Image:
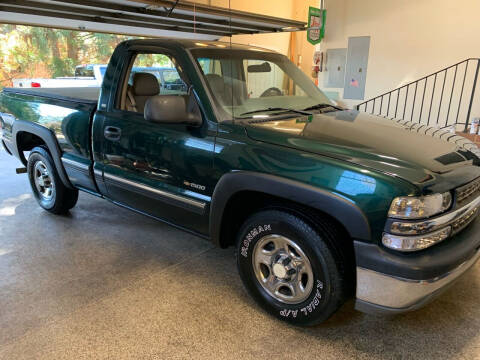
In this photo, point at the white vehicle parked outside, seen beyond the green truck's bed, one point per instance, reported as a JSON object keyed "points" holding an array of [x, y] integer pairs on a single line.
{"points": [[89, 75]]}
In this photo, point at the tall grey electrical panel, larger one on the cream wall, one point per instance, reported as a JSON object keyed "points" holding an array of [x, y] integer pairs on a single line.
{"points": [[356, 70]]}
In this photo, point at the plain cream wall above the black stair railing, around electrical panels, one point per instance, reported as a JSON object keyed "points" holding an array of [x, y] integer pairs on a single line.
{"points": [[409, 38]]}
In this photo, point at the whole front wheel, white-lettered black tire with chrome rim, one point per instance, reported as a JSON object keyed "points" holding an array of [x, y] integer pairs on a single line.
{"points": [[289, 268]]}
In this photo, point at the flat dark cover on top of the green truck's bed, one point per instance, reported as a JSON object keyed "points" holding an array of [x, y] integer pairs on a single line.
{"points": [[77, 94]]}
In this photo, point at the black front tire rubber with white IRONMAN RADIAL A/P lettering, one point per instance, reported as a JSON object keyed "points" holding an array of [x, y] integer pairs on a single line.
{"points": [[329, 286]]}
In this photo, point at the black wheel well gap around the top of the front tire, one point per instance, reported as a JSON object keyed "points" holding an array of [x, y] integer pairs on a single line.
{"points": [[245, 203]]}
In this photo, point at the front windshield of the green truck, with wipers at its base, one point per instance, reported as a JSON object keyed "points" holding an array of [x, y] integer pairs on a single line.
{"points": [[246, 84]]}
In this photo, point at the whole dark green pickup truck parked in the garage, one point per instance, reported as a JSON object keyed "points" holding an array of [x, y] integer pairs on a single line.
{"points": [[322, 204]]}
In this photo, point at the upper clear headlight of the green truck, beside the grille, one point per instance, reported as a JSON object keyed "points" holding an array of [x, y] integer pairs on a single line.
{"points": [[409, 207]]}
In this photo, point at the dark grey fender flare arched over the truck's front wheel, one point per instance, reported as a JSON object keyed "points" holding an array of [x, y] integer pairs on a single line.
{"points": [[347, 213]]}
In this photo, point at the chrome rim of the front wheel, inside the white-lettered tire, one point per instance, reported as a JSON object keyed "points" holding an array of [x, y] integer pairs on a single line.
{"points": [[282, 269]]}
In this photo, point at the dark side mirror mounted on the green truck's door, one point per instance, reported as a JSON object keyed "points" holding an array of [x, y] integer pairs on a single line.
{"points": [[173, 109]]}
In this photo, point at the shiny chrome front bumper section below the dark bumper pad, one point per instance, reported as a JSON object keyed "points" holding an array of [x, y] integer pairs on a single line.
{"points": [[381, 293]]}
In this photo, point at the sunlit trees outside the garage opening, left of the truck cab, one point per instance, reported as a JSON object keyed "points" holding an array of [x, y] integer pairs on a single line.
{"points": [[35, 52]]}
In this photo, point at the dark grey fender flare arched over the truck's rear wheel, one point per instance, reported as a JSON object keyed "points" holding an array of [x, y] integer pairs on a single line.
{"points": [[50, 140]]}
